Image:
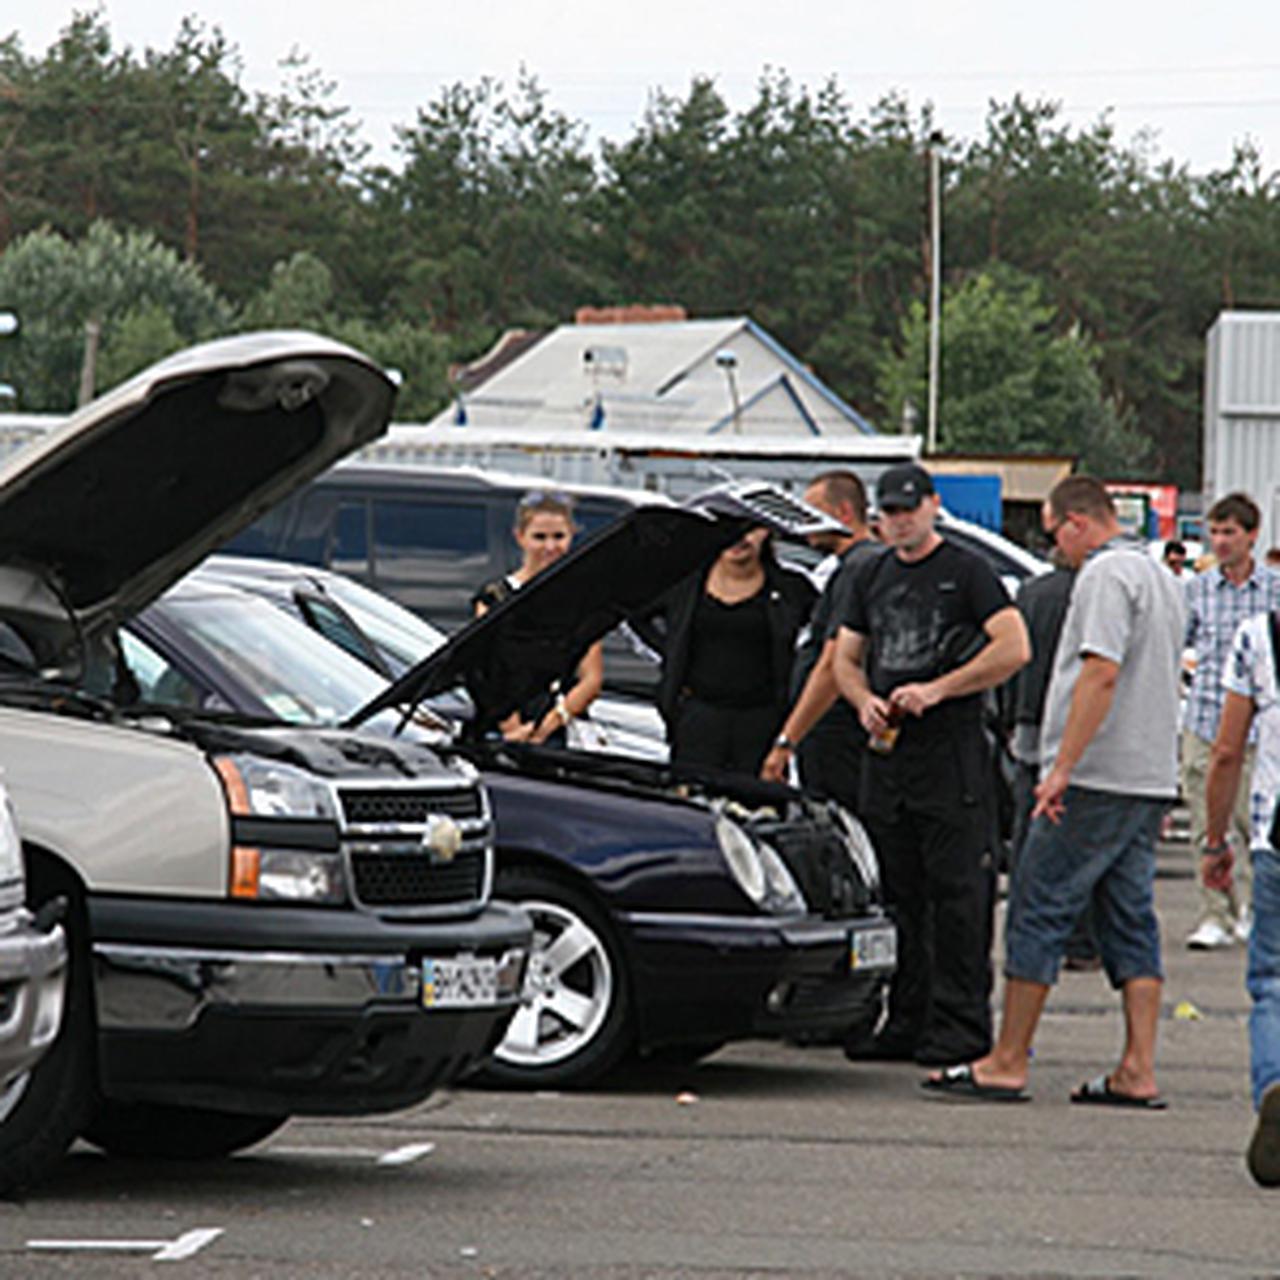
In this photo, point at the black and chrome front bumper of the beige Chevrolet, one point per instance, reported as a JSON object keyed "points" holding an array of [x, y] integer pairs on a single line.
{"points": [[290, 1012]]}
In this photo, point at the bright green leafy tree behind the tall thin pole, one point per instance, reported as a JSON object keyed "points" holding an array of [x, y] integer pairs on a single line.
{"points": [[1009, 383]]}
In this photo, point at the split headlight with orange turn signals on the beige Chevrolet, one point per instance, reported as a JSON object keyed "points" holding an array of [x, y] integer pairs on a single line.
{"points": [[285, 838]]}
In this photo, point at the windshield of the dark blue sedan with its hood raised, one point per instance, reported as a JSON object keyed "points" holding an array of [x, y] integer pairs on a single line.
{"points": [[286, 666]]}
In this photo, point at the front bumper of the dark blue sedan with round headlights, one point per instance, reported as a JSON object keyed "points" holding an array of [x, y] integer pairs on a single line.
{"points": [[721, 977]]}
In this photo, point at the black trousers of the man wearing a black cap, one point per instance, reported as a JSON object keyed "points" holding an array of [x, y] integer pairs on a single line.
{"points": [[930, 810]]}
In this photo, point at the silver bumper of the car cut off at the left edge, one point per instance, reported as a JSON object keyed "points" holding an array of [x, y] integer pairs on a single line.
{"points": [[33, 988]]}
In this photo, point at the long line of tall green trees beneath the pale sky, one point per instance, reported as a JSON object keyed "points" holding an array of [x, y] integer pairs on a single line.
{"points": [[153, 196]]}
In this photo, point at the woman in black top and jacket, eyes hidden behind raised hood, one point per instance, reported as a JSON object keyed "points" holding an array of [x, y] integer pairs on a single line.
{"points": [[728, 641]]}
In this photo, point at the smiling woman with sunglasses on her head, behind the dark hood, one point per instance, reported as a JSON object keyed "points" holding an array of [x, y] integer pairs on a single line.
{"points": [[545, 532]]}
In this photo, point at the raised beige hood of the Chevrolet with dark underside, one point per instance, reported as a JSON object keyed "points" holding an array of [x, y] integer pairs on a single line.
{"points": [[140, 486]]}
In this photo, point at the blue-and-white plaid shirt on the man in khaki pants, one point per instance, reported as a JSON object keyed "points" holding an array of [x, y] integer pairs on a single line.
{"points": [[1215, 609]]}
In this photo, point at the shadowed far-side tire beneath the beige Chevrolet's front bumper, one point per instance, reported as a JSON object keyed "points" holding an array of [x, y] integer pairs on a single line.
{"points": [[159, 1132]]}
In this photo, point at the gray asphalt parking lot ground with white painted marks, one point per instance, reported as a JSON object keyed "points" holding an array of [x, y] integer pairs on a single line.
{"points": [[762, 1160]]}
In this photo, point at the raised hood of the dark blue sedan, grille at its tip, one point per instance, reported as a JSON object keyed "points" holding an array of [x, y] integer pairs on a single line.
{"points": [[618, 573]]}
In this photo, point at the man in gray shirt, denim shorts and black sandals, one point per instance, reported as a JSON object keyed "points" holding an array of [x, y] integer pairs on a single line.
{"points": [[1108, 774]]}
